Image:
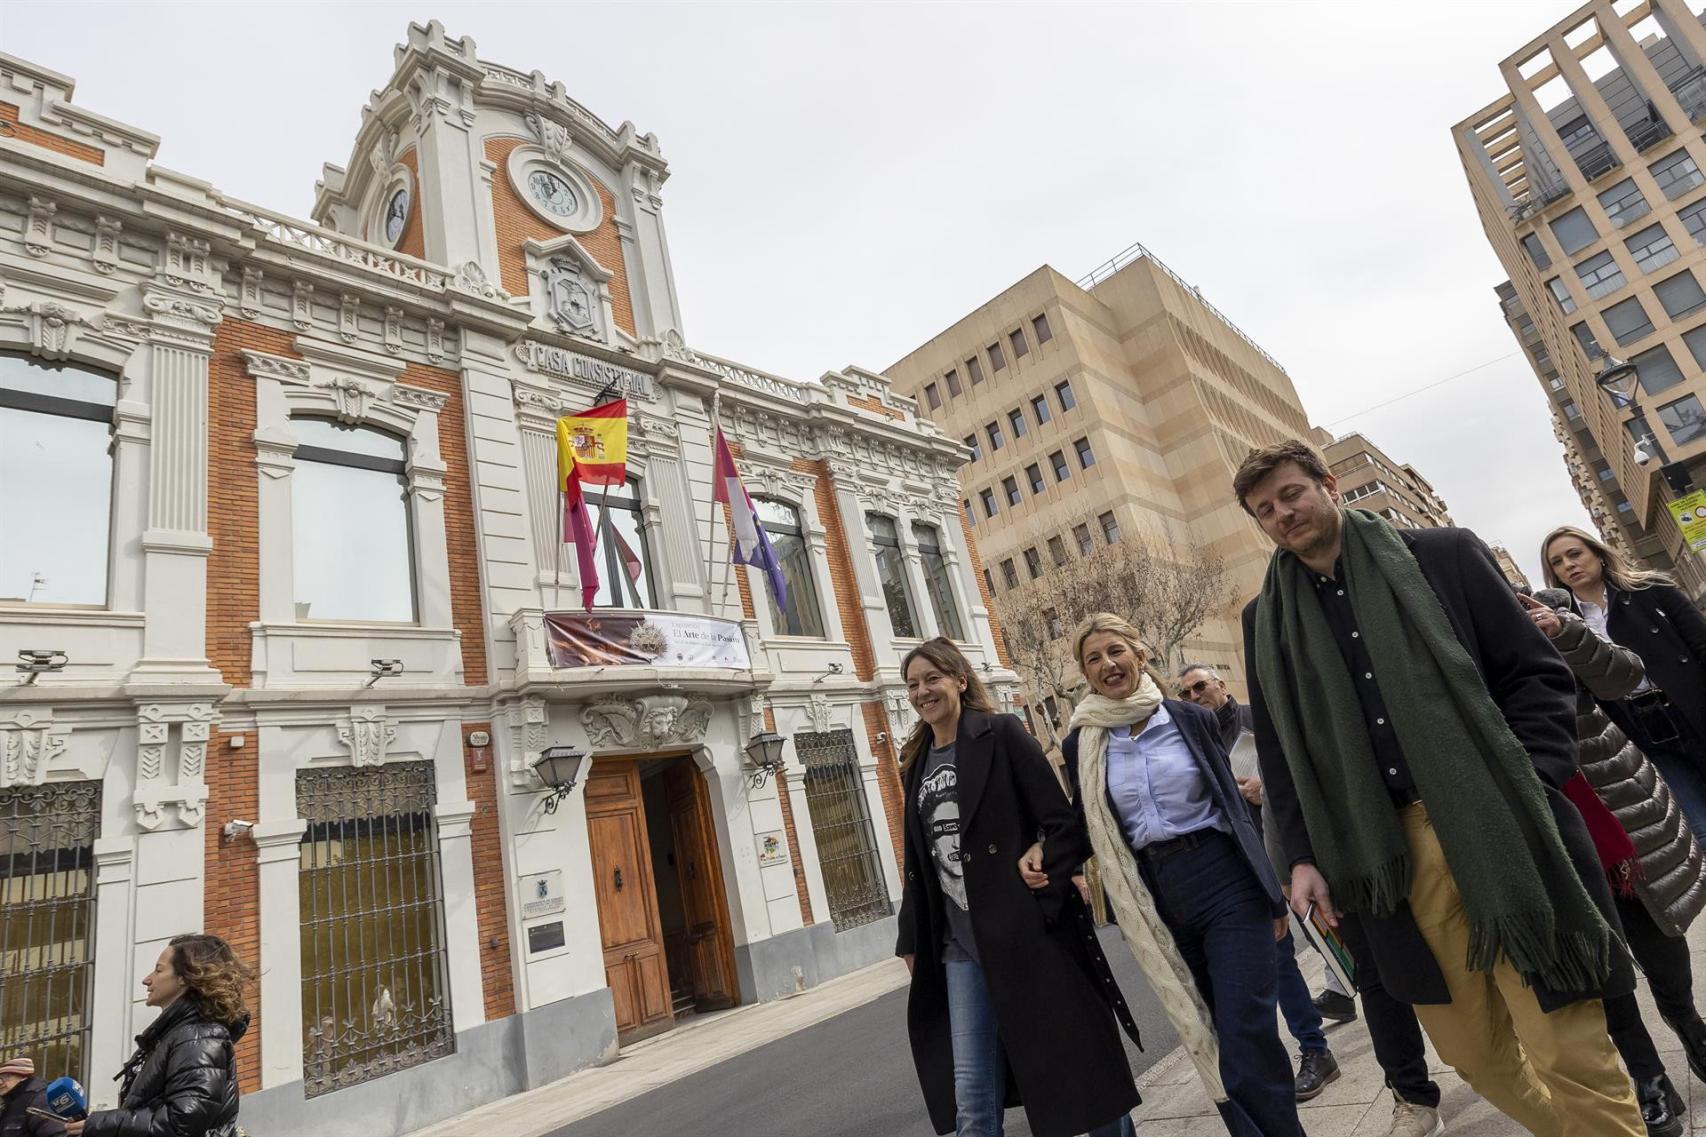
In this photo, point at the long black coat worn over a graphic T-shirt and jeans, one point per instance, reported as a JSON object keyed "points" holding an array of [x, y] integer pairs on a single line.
{"points": [[1055, 998]]}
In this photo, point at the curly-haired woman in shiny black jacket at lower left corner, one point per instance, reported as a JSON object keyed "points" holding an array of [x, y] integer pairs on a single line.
{"points": [[183, 1078]]}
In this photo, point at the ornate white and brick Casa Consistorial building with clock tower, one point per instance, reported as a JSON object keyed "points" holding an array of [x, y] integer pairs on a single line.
{"points": [[281, 557]]}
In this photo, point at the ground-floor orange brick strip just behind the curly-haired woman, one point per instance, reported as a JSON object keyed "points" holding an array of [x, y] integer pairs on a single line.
{"points": [[231, 904]]}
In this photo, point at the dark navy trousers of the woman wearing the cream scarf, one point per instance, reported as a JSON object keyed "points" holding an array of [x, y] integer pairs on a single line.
{"points": [[1219, 914]]}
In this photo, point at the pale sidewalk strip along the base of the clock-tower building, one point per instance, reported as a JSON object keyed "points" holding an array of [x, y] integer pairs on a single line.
{"points": [[695, 1046]]}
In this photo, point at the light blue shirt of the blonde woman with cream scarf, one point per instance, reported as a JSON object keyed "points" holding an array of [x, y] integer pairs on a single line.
{"points": [[1158, 788]]}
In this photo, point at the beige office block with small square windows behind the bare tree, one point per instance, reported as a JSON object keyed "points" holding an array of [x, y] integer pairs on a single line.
{"points": [[1120, 404]]}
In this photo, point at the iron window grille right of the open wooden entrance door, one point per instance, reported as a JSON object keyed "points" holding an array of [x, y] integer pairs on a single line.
{"points": [[847, 844]]}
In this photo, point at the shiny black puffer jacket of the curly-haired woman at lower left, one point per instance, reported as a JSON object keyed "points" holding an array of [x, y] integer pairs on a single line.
{"points": [[180, 1083]]}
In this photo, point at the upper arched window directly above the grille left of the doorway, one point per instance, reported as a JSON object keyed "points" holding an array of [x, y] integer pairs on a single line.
{"points": [[351, 534]]}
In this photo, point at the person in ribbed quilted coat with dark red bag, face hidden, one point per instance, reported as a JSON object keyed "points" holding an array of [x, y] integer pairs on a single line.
{"points": [[1659, 875]]}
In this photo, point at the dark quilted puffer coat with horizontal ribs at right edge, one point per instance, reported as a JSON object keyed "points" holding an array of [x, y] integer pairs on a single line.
{"points": [[1673, 875]]}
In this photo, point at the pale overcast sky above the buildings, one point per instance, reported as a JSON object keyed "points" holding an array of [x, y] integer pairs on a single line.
{"points": [[849, 180]]}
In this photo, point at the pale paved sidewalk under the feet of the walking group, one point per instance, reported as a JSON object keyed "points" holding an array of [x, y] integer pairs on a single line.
{"points": [[1359, 1105]]}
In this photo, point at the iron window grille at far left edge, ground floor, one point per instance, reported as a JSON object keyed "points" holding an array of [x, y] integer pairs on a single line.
{"points": [[49, 895]]}
